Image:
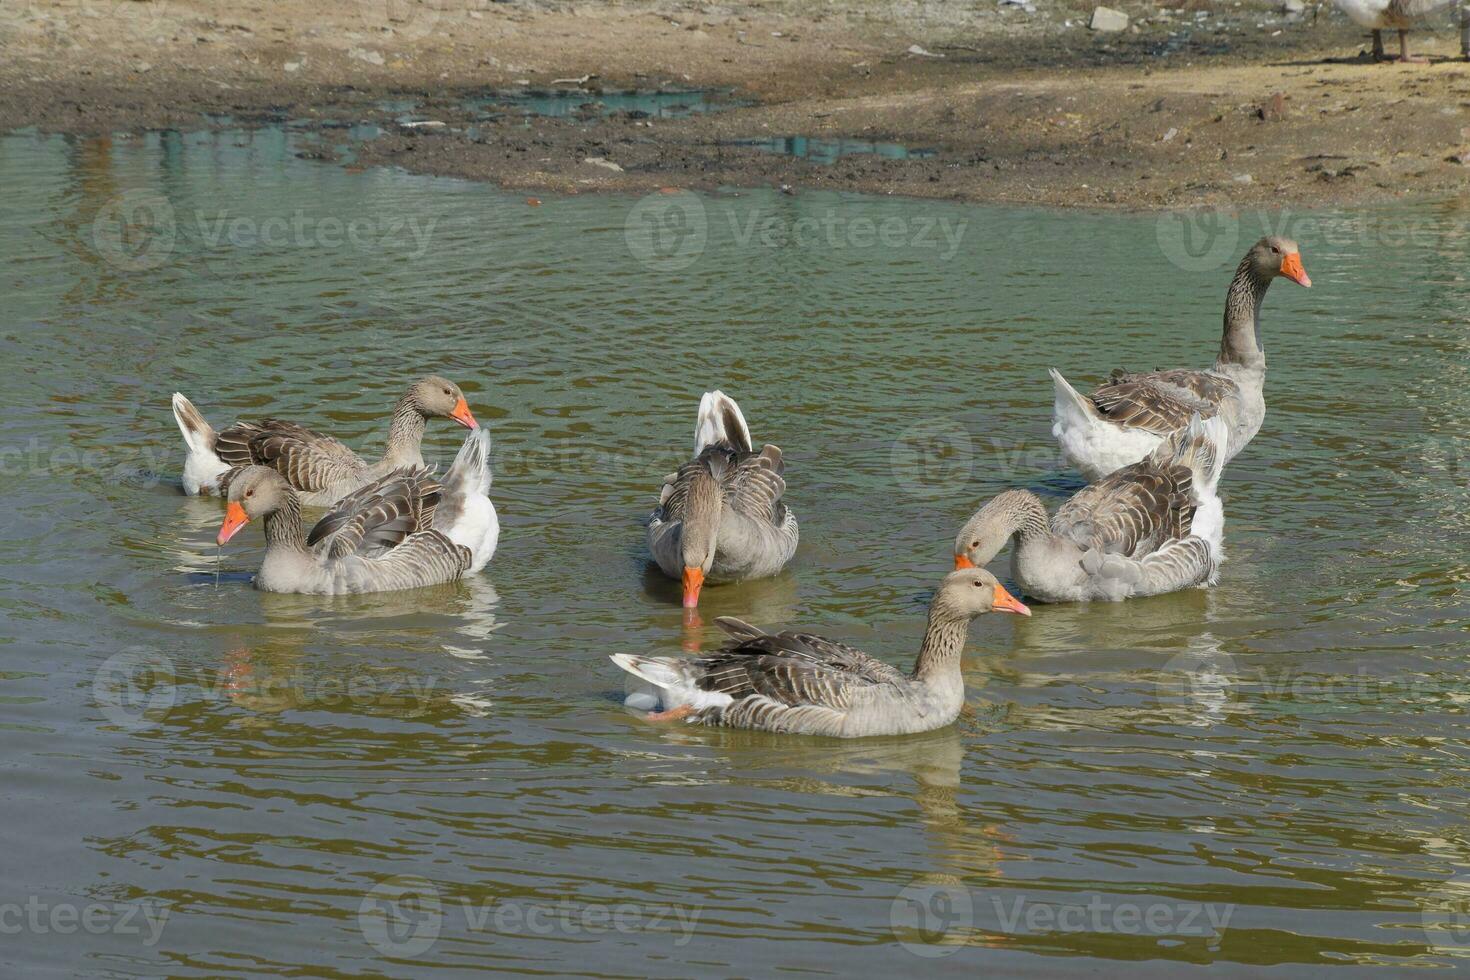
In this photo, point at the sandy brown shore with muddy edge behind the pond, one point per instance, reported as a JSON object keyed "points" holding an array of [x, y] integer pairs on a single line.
{"points": [[1199, 105]]}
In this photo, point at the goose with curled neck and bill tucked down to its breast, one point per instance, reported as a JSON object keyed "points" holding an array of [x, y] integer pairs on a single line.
{"points": [[1150, 528]]}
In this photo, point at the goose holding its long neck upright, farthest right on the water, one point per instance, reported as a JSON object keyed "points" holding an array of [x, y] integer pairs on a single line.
{"points": [[1130, 415]]}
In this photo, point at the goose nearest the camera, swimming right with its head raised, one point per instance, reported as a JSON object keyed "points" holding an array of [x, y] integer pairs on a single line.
{"points": [[808, 685]]}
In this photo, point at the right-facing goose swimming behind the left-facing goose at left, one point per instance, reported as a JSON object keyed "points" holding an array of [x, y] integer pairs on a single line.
{"points": [[318, 466]]}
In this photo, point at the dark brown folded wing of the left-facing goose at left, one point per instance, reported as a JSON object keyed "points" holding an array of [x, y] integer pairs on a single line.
{"points": [[381, 516]]}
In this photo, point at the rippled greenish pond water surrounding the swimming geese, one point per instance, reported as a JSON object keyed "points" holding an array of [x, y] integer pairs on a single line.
{"points": [[1266, 775]]}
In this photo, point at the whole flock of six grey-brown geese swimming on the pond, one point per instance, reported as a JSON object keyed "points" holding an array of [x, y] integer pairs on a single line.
{"points": [[1149, 522]]}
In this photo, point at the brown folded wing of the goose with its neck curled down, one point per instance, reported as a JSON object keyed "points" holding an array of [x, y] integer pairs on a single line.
{"points": [[1131, 512]]}
